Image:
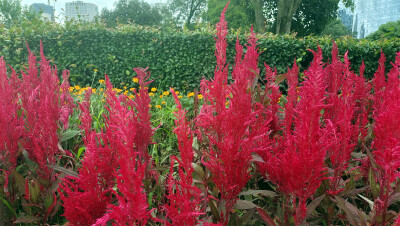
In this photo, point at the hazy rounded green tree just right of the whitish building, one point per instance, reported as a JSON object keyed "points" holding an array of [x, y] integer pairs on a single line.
{"points": [[135, 11]]}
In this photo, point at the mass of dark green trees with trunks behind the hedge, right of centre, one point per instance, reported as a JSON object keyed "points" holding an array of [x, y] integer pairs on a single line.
{"points": [[293, 16]]}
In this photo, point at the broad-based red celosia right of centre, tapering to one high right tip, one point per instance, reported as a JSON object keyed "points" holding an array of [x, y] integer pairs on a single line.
{"points": [[296, 164]]}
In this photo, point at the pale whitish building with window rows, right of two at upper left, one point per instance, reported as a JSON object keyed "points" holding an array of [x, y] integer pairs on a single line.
{"points": [[80, 10]]}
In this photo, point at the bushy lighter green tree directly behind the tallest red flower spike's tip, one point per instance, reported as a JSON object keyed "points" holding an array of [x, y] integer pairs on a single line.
{"points": [[240, 13]]}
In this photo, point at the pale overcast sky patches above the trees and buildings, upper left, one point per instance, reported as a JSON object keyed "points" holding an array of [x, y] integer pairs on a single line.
{"points": [[60, 4]]}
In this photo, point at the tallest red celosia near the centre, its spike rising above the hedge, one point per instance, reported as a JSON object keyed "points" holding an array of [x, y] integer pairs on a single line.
{"points": [[231, 131]]}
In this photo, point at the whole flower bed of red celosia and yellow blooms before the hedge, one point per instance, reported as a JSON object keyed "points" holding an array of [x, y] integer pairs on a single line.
{"points": [[326, 152]]}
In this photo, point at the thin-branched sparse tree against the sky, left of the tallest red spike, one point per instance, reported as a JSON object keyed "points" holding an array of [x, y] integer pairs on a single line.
{"points": [[187, 10]]}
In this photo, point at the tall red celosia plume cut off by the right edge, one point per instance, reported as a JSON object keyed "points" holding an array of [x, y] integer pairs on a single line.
{"points": [[386, 144]]}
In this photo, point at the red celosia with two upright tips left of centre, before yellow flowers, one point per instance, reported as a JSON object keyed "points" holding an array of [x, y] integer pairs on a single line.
{"points": [[129, 131]]}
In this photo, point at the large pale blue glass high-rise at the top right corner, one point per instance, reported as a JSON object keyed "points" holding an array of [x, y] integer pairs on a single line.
{"points": [[370, 14]]}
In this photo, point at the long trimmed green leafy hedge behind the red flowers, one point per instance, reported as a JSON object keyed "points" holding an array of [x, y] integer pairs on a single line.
{"points": [[177, 59]]}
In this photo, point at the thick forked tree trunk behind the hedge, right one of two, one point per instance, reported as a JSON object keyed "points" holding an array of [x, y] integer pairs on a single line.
{"points": [[286, 10]]}
